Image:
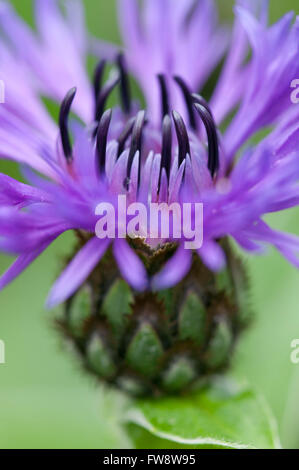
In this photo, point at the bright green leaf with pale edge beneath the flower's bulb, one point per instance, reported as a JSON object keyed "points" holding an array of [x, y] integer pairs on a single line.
{"points": [[220, 415]]}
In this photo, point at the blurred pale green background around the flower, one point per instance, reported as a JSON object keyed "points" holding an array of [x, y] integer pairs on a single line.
{"points": [[45, 400]]}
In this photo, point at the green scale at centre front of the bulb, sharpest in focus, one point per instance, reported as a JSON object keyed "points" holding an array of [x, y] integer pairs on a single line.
{"points": [[145, 351]]}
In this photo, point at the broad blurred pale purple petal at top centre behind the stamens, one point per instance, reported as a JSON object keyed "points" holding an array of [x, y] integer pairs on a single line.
{"points": [[146, 34]]}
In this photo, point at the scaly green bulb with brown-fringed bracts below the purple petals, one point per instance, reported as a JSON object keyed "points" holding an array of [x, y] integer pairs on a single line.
{"points": [[158, 342]]}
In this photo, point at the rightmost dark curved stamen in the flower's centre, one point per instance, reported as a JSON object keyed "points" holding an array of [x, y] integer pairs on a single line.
{"points": [[207, 119]]}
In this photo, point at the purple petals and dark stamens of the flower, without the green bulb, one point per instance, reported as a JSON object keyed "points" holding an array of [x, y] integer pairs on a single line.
{"points": [[176, 151]]}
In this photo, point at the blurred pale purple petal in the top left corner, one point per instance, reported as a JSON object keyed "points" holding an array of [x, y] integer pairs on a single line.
{"points": [[54, 45]]}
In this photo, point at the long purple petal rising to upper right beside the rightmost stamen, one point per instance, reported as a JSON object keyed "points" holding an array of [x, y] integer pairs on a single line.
{"points": [[275, 53]]}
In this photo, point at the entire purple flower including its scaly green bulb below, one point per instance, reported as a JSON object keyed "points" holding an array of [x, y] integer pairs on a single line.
{"points": [[180, 318]]}
